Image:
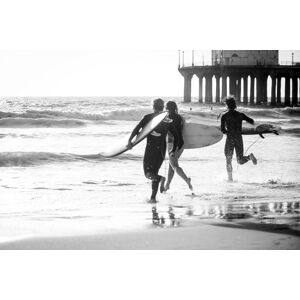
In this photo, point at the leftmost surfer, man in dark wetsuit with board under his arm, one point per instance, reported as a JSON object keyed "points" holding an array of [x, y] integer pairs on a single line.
{"points": [[155, 150]]}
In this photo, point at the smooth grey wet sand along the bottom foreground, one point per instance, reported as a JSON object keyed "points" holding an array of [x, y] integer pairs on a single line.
{"points": [[205, 234]]}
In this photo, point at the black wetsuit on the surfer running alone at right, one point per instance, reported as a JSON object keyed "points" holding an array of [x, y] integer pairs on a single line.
{"points": [[231, 124]]}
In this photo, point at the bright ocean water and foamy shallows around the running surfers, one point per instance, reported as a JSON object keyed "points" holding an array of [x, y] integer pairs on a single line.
{"points": [[54, 180]]}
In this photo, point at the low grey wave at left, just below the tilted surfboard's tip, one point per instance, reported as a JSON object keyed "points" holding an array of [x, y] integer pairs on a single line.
{"points": [[28, 159]]}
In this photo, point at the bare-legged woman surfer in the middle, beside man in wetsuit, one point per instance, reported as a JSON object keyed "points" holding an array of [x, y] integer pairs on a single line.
{"points": [[178, 122]]}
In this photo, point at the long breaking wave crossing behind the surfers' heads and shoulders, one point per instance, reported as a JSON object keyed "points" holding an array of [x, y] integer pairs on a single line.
{"points": [[57, 118]]}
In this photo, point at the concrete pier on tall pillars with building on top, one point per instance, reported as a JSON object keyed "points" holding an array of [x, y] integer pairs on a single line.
{"points": [[244, 74]]}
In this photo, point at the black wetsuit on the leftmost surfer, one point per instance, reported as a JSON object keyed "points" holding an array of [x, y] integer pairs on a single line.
{"points": [[155, 150]]}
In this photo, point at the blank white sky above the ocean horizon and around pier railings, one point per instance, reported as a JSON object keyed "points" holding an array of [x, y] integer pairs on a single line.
{"points": [[96, 73]]}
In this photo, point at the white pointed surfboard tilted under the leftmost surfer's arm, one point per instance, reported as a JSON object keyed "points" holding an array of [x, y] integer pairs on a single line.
{"points": [[121, 146]]}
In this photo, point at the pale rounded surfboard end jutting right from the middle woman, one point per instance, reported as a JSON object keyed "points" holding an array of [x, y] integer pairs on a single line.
{"points": [[198, 135]]}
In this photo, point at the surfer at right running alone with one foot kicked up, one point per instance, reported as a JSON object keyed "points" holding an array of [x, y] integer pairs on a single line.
{"points": [[231, 125]]}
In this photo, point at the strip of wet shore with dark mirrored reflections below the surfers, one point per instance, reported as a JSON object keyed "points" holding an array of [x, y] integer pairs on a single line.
{"points": [[281, 213]]}
